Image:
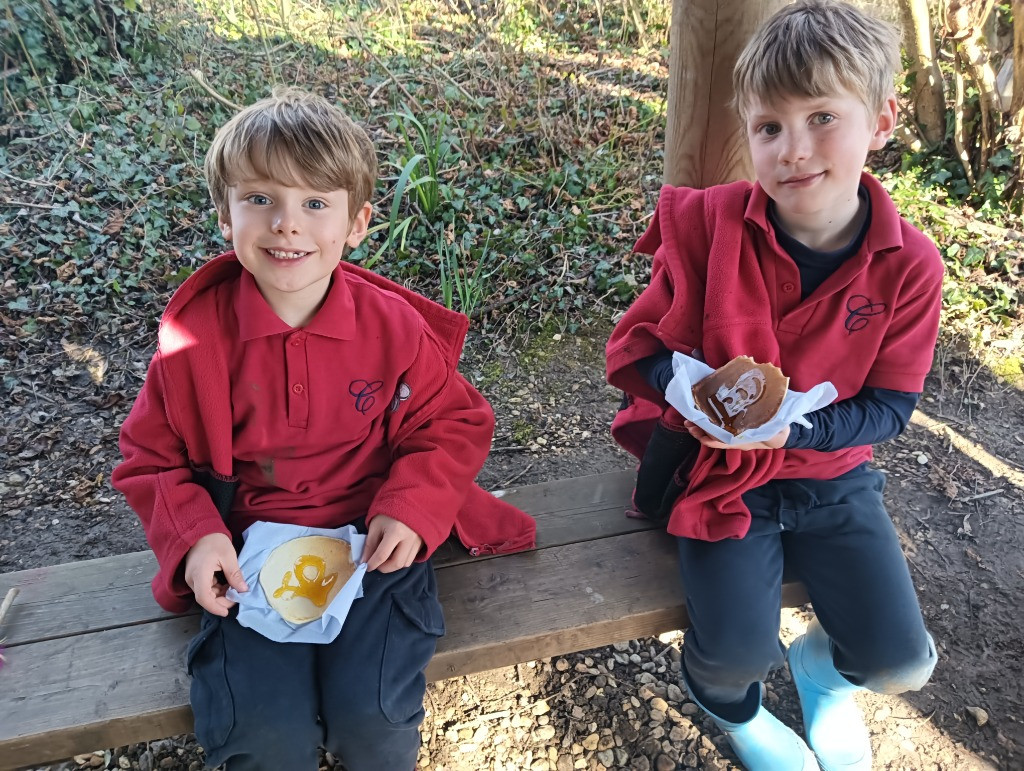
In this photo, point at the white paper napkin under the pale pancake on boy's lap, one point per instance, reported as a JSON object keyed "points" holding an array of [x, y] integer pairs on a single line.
{"points": [[255, 612]]}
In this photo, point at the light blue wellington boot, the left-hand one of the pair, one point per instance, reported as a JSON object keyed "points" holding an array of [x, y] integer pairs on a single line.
{"points": [[763, 744]]}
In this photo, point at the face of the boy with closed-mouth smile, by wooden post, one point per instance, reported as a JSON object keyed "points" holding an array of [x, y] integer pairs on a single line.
{"points": [[808, 155]]}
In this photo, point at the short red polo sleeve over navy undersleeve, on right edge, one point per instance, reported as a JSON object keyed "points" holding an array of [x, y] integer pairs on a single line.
{"points": [[906, 355]]}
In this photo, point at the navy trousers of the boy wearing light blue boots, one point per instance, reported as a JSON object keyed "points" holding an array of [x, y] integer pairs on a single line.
{"points": [[836, 537]]}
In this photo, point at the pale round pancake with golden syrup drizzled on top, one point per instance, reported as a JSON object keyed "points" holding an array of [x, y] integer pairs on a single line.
{"points": [[302, 577]]}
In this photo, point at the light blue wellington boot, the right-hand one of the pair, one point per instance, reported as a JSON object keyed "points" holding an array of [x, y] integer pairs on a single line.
{"points": [[833, 721]]}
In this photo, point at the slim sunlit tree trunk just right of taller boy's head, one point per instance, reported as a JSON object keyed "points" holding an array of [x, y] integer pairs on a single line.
{"points": [[929, 105]]}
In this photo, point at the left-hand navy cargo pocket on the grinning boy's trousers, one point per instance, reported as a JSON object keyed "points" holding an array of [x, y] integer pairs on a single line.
{"points": [[210, 695]]}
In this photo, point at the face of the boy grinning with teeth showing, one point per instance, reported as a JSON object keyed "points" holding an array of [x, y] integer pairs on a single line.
{"points": [[291, 240]]}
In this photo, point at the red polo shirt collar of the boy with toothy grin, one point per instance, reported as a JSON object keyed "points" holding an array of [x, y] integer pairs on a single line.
{"points": [[336, 319]]}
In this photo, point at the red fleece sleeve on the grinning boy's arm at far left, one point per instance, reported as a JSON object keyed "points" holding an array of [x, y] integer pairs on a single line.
{"points": [[157, 481]]}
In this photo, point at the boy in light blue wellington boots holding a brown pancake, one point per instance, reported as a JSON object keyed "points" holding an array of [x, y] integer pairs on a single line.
{"points": [[814, 270]]}
